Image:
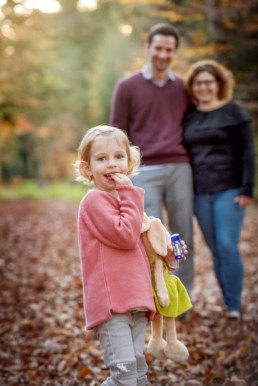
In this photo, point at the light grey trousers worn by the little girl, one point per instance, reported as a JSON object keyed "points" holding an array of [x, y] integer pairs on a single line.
{"points": [[122, 342]]}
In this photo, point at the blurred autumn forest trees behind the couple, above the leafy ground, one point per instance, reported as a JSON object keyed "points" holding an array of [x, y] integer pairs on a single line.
{"points": [[61, 59]]}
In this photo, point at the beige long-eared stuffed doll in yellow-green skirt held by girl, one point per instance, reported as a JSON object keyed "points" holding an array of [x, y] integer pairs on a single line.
{"points": [[171, 297]]}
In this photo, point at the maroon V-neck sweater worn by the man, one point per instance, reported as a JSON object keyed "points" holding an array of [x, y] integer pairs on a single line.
{"points": [[152, 117]]}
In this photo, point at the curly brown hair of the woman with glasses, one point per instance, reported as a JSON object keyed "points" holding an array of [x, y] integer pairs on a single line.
{"points": [[223, 76]]}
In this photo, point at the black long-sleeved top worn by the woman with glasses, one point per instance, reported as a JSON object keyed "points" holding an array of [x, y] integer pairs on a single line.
{"points": [[220, 144]]}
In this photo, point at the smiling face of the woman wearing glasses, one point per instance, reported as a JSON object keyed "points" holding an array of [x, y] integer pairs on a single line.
{"points": [[205, 88]]}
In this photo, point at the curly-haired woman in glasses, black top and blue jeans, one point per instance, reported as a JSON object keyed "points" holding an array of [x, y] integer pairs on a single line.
{"points": [[218, 134]]}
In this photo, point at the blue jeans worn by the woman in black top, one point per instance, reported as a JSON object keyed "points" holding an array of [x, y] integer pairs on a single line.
{"points": [[220, 220]]}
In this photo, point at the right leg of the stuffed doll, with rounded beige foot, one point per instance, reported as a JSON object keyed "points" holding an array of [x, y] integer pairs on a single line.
{"points": [[174, 349]]}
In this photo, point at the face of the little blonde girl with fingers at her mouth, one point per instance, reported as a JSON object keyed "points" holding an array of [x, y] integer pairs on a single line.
{"points": [[107, 158]]}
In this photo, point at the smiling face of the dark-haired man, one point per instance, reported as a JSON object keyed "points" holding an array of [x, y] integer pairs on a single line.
{"points": [[161, 52]]}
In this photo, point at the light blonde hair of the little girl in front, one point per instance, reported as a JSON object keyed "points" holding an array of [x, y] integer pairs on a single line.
{"points": [[84, 150]]}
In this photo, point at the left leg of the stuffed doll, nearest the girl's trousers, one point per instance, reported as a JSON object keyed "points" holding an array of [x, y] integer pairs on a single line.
{"points": [[157, 344]]}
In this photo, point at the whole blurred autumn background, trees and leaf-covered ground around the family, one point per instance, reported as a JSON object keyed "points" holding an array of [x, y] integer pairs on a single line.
{"points": [[59, 62]]}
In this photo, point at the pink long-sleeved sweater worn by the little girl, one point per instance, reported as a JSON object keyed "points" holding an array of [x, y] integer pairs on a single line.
{"points": [[115, 268]]}
